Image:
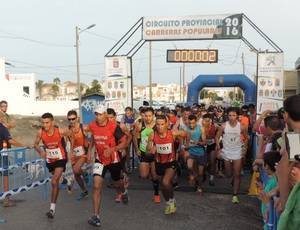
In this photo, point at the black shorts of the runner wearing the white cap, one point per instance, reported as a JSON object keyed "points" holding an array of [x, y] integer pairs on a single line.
{"points": [[114, 169]]}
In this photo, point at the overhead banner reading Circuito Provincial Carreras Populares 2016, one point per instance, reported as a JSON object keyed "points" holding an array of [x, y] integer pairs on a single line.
{"points": [[224, 26]]}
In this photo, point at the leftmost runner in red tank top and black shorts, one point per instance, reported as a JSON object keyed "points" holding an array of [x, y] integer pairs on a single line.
{"points": [[54, 152]]}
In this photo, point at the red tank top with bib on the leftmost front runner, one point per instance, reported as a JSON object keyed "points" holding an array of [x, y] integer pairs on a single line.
{"points": [[53, 146]]}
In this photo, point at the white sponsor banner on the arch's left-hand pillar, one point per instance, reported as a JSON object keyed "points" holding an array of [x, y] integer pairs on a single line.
{"points": [[118, 83]]}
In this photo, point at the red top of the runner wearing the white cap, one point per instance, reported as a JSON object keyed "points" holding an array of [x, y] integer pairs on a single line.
{"points": [[103, 138]]}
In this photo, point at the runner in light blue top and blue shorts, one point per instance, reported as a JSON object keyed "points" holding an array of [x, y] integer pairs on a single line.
{"points": [[197, 158]]}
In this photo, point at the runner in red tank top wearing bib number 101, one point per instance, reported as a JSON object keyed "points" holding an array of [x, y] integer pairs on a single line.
{"points": [[161, 143]]}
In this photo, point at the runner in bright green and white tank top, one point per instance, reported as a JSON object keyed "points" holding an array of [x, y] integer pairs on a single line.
{"points": [[147, 161]]}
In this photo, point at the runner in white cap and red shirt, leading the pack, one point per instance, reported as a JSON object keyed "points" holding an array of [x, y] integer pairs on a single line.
{"points": [[108, 139]]}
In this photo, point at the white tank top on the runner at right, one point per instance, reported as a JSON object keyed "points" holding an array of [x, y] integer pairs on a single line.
{"points": [[232, 138]]}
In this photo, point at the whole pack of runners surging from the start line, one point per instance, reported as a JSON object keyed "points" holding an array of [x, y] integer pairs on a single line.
{"points": [[165, 141]]}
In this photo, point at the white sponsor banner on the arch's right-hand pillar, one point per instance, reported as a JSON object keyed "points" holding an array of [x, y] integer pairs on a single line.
{"points": [[270, 86]]}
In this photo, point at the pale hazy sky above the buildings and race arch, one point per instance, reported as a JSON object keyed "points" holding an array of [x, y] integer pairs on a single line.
{"points": [[39, 36]]}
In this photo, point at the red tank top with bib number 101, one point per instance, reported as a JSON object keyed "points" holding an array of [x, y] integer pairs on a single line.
{"points": [[165, 152]]}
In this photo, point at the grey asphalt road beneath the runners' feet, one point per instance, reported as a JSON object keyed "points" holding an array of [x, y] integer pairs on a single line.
{"points": [[213, 210]]}
